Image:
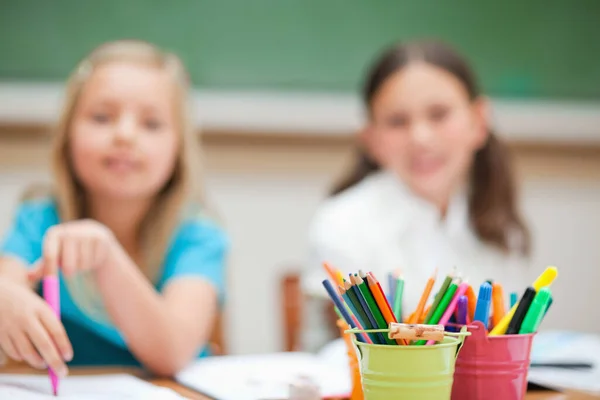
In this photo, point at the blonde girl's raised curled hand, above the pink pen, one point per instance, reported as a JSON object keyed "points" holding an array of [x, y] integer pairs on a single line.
{"points": [[76, 246]]}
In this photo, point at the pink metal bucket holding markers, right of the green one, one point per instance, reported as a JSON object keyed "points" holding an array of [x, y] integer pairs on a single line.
{"points": [[492, 367]]}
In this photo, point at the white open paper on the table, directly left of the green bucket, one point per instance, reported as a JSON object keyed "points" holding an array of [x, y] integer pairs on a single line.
{"points": [[263, 377]]}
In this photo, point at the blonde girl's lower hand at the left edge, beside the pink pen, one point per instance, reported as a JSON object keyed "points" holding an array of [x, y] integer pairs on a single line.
{"points": [[30, 331]]}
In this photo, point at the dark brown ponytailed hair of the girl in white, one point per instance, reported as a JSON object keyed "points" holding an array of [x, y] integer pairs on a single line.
{"points": [[492, 194]]}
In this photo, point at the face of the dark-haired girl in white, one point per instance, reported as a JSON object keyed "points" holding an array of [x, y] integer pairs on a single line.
{"points": [[425, 128]]}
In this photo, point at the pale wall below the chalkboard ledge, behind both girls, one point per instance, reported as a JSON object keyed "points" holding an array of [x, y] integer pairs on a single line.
{"points": [[266, 195]]}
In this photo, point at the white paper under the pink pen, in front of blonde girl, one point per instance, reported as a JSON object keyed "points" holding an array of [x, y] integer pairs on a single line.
{"points": [[94, 387]]}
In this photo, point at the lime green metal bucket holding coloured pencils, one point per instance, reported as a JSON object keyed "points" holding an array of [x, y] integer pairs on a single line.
{"points": [[407, 371]]}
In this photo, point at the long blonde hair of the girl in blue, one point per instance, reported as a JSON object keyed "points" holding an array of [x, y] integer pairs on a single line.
{"points": [[181, 189]]}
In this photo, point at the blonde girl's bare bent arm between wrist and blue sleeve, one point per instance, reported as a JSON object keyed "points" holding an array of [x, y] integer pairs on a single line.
{"points": [[163, 330]]}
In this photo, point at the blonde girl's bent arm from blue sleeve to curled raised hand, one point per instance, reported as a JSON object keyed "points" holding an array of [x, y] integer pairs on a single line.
{"points": [[163, 330]]}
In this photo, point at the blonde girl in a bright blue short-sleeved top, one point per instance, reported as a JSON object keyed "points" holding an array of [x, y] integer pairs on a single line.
{"points": [[141, 268]]}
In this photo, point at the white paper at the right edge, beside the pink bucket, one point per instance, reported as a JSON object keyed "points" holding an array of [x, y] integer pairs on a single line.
{"points": [[564, 346]]}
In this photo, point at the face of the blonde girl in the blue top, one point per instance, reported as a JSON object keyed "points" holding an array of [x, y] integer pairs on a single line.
{"points": [[124, 139]]}
